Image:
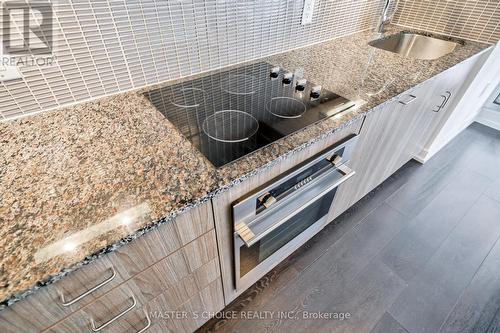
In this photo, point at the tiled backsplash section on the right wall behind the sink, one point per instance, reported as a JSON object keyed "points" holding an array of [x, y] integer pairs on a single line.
{"points": [[471, 19]]}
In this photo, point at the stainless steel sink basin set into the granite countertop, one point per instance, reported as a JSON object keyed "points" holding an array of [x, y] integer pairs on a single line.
{"points": [[415, 46]]}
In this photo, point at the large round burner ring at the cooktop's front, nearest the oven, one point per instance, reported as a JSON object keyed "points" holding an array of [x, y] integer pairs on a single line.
{"points": [[230, 126]]}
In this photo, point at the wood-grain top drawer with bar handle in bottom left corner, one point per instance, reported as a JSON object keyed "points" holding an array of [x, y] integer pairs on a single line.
{"points": [[52, 303]]}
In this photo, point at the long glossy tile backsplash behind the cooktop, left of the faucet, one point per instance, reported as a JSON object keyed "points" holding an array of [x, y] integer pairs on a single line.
{"points": [[108, 46]]}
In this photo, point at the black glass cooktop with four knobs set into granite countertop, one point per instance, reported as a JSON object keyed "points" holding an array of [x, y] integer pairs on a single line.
{"points": [[230, 114]]}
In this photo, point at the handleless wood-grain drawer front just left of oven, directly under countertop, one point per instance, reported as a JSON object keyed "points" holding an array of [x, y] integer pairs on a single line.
{"points": [[155, 245]]}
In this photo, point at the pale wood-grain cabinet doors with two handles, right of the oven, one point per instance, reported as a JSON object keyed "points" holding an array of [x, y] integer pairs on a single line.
{"points": [[404, 129]]}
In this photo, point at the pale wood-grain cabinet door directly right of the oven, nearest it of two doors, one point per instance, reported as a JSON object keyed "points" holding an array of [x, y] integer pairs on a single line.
{"points": [[385, 144]]}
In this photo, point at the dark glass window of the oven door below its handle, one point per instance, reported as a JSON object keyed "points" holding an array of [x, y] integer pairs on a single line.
{"points": [[251, 257]]}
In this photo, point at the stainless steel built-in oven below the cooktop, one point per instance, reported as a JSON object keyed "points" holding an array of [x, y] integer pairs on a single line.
{"points": [[276, 219]]}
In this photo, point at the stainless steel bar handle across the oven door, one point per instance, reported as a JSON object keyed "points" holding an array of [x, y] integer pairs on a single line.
{"points": [[248, 237]]}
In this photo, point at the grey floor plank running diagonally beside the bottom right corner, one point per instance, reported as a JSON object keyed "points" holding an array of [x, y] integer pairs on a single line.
{"points": [[424, 305]]}
